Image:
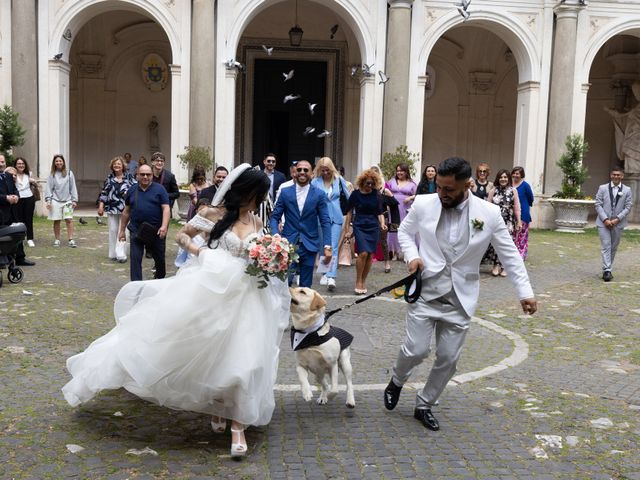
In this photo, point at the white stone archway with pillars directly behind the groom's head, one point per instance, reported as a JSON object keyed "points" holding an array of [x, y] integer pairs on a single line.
{"points": [[521, 51]]}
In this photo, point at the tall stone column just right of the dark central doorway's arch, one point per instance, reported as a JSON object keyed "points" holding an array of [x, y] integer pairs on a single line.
{"points": [[397, 68]]}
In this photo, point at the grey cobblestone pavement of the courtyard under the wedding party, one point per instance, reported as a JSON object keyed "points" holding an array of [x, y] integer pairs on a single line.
{"points": [[569, 410]]}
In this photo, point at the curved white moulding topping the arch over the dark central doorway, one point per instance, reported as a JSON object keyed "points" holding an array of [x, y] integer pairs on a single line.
{"points": [[353, 12]]}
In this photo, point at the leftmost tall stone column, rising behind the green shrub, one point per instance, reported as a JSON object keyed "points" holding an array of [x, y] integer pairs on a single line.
{"points": [[24, 75]]}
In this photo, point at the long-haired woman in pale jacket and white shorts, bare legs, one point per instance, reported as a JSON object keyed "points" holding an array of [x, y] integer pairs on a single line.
{"points": [[61, 198]]}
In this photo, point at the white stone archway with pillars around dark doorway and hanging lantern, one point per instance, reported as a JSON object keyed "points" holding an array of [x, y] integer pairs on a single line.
{"points": [[354, 39]]}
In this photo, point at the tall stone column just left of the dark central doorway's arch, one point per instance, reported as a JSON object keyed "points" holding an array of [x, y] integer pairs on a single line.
{"points": [[201, 121]]}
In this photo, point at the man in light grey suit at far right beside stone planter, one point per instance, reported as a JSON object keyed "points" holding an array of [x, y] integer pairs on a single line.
{"points": [[613, 204]]}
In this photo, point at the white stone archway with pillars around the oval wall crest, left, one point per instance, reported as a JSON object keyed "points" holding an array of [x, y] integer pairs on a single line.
{"points": [[56, 75]]}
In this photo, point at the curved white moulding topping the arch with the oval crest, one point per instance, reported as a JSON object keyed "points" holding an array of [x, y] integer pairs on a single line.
{"points": [[73, 15]]}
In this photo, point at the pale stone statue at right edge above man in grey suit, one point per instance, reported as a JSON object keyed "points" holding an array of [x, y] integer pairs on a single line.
{"points": [[627, 130]]}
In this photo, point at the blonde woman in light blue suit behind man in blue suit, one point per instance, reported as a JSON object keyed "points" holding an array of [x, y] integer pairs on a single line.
{"points": [[328, 179]]}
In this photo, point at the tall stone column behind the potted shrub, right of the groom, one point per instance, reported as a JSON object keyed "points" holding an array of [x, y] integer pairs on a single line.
{"points": [[563, 90]]}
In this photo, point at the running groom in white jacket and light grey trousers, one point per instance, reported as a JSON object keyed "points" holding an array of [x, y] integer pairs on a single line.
{"points": [[455, 230]]}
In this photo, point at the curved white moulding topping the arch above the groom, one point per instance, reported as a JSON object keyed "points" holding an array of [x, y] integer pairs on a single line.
{"points": [[520, 39]]}
